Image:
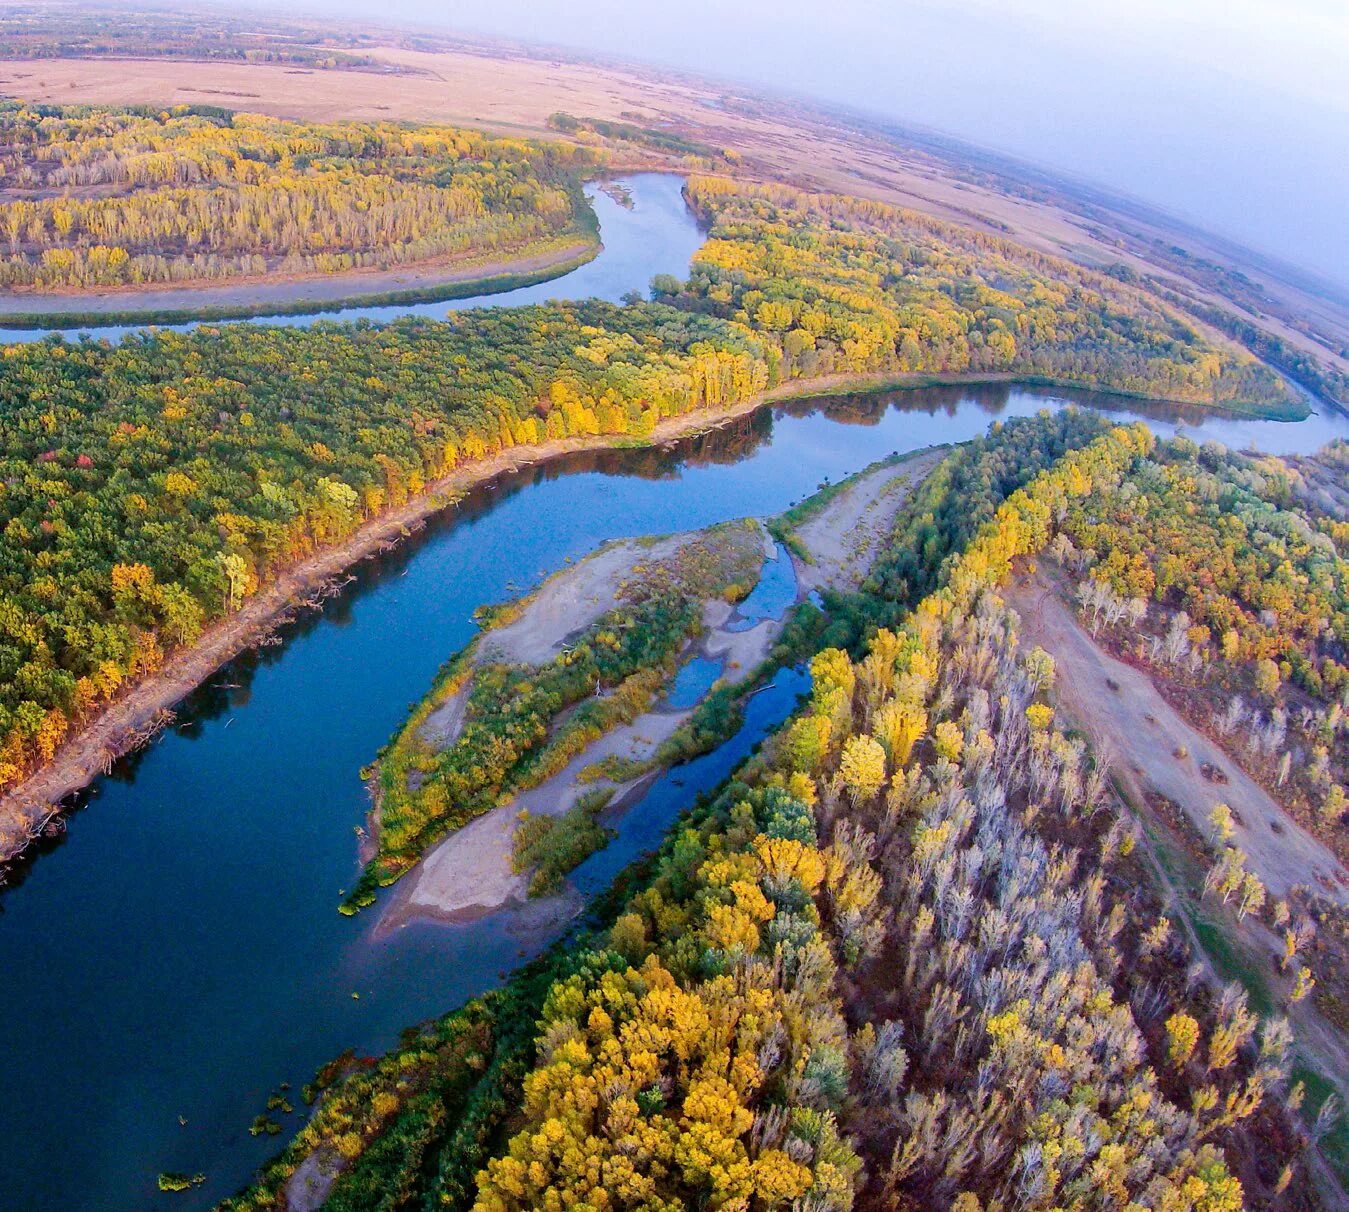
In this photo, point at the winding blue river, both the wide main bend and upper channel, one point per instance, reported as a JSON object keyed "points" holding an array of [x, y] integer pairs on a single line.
{"points": [[177, 955]]}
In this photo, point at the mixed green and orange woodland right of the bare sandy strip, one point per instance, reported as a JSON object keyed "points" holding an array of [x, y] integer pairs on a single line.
{"points": [[1205, 566]]}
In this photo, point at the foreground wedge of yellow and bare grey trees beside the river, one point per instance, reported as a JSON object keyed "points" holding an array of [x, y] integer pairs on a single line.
{"points": [[909, 958]]}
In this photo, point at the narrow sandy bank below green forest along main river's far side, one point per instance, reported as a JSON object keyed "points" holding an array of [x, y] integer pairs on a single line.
{"points": [[36, 805]]}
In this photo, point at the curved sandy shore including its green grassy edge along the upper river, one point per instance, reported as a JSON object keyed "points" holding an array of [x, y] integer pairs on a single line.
{"points": [[308, 296]]}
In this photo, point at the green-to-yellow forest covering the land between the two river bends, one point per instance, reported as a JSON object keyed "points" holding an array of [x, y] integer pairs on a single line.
{"points": [[149, 488]]}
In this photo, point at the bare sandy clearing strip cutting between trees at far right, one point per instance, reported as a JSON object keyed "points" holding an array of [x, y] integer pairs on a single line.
{"points": [[1139, 732]]}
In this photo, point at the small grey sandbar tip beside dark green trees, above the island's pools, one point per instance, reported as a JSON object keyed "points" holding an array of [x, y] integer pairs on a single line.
{"points": [[844, 538]]}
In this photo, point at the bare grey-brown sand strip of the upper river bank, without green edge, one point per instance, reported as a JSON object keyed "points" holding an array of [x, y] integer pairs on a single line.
{"points": [[277, 292]]}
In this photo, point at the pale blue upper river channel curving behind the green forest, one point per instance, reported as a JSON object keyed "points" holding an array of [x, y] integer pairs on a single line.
{"points": [[658, 236]]}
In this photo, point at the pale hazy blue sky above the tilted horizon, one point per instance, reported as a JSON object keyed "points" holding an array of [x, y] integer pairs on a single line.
{"points": [[1232, 113]]}
